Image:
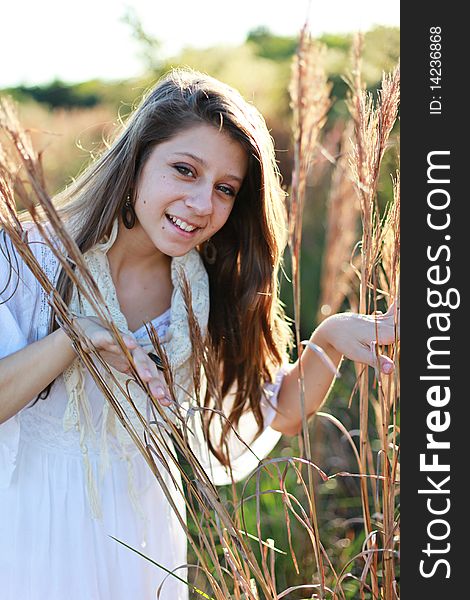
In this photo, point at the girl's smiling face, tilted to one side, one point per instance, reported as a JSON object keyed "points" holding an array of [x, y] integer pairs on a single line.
{"points": [[187, 188]]}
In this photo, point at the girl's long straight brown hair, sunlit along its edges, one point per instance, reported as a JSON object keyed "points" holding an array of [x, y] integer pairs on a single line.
{"points": [[248, 333]]}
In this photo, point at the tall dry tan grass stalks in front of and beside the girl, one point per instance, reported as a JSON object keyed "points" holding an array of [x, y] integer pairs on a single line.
{"points": [[228, 529]]}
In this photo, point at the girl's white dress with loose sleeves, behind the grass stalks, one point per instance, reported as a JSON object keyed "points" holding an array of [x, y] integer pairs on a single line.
{"points": [[50, 545]]}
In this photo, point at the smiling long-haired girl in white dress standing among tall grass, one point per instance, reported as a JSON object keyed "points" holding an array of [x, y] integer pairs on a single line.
{"points": [[189, 185]]}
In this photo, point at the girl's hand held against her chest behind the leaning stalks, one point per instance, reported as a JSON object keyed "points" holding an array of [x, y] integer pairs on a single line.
{"points": [[101, 339]]}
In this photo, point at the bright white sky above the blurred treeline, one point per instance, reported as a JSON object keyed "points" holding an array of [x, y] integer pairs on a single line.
{"points": [[87, 39]]}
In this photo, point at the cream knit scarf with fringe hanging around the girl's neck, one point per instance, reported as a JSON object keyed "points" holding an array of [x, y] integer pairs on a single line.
{"points": [[177, 345]]}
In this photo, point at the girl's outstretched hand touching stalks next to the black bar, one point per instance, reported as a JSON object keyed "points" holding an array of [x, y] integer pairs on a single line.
{"points": [[356, 336]]}
